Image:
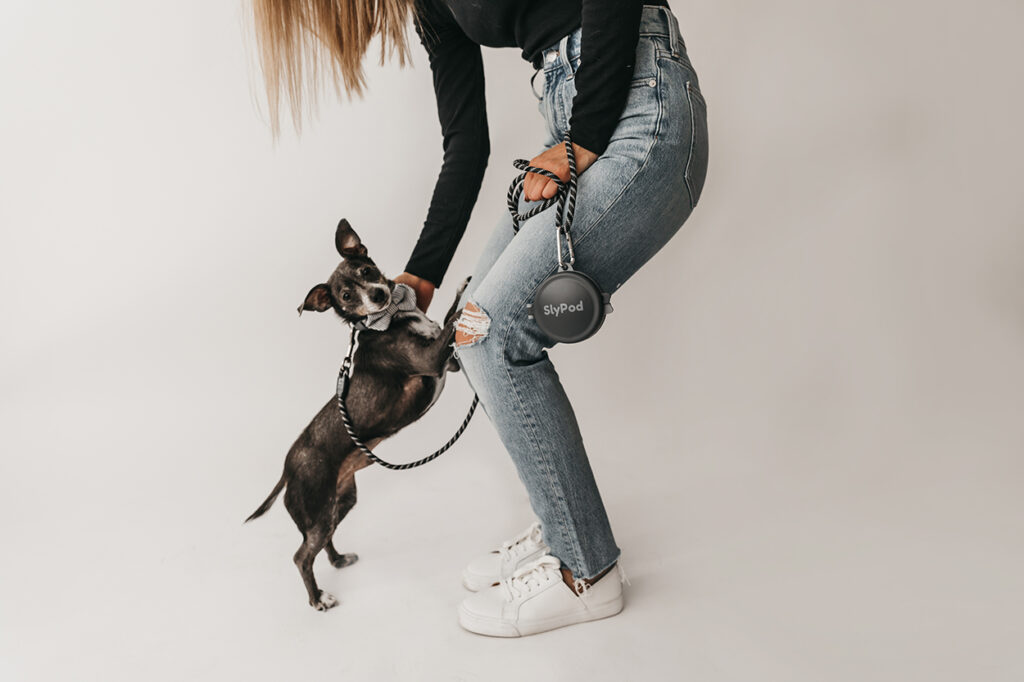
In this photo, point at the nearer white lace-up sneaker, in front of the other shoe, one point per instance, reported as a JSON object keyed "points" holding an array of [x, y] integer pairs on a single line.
{"points": [[536, 600]]}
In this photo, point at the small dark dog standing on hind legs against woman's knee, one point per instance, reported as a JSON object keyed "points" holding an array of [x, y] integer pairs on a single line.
{"points": [[397, 376]]}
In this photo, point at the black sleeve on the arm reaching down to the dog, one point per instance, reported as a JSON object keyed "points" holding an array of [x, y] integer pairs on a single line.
{"points": [[458, 74]]}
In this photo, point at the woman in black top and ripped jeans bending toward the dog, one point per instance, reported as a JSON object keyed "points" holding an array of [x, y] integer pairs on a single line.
{"points": [[618, 77]]}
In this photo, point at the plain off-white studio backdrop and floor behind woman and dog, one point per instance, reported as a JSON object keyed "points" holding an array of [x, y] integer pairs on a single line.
{"points": [[805, 413]]}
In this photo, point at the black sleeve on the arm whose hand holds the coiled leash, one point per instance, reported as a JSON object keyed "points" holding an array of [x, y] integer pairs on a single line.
{"points": [[609, 46]]}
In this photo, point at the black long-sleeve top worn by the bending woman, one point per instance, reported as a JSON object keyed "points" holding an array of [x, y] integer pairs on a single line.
{"points": [[452, 32]]}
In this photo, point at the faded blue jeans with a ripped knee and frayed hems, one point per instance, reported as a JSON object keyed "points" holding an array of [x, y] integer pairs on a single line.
{"points": [[630, 203]]}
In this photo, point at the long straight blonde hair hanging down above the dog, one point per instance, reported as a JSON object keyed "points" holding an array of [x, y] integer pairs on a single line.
{"points": [[304, 44]]}
